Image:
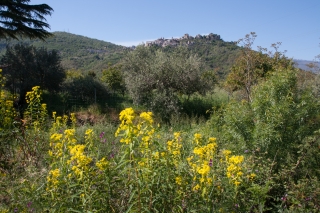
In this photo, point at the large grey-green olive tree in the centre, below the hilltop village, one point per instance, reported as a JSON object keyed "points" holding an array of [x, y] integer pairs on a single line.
{"points": [[155, 78]]}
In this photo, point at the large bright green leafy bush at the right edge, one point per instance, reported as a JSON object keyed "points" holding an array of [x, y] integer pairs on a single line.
{"points": [[279, 117]]}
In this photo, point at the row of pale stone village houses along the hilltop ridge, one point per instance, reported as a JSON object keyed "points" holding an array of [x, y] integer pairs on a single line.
{"points": [[186, 39]]}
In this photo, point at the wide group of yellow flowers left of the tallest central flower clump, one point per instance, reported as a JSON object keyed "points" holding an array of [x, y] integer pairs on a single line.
{"points": [[73, 165]]}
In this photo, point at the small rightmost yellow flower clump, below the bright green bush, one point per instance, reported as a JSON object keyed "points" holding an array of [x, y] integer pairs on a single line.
{"points": [[234, 170]]}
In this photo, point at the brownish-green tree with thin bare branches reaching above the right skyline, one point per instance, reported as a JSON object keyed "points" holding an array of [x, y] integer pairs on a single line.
{"points": [[253, 66]]}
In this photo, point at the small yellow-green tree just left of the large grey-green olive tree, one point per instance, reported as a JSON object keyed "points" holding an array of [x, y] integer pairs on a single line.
{"points": [[114, 78]]}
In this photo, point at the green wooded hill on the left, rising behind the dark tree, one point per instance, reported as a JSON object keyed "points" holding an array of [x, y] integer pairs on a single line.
{"points": [[77, 52]]}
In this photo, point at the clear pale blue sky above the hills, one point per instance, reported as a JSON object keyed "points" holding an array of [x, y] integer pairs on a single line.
{"points": [[295, 23]]}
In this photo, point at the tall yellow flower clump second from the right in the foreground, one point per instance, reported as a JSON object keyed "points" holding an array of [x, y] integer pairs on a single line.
{"points": [[202, 160]]}
